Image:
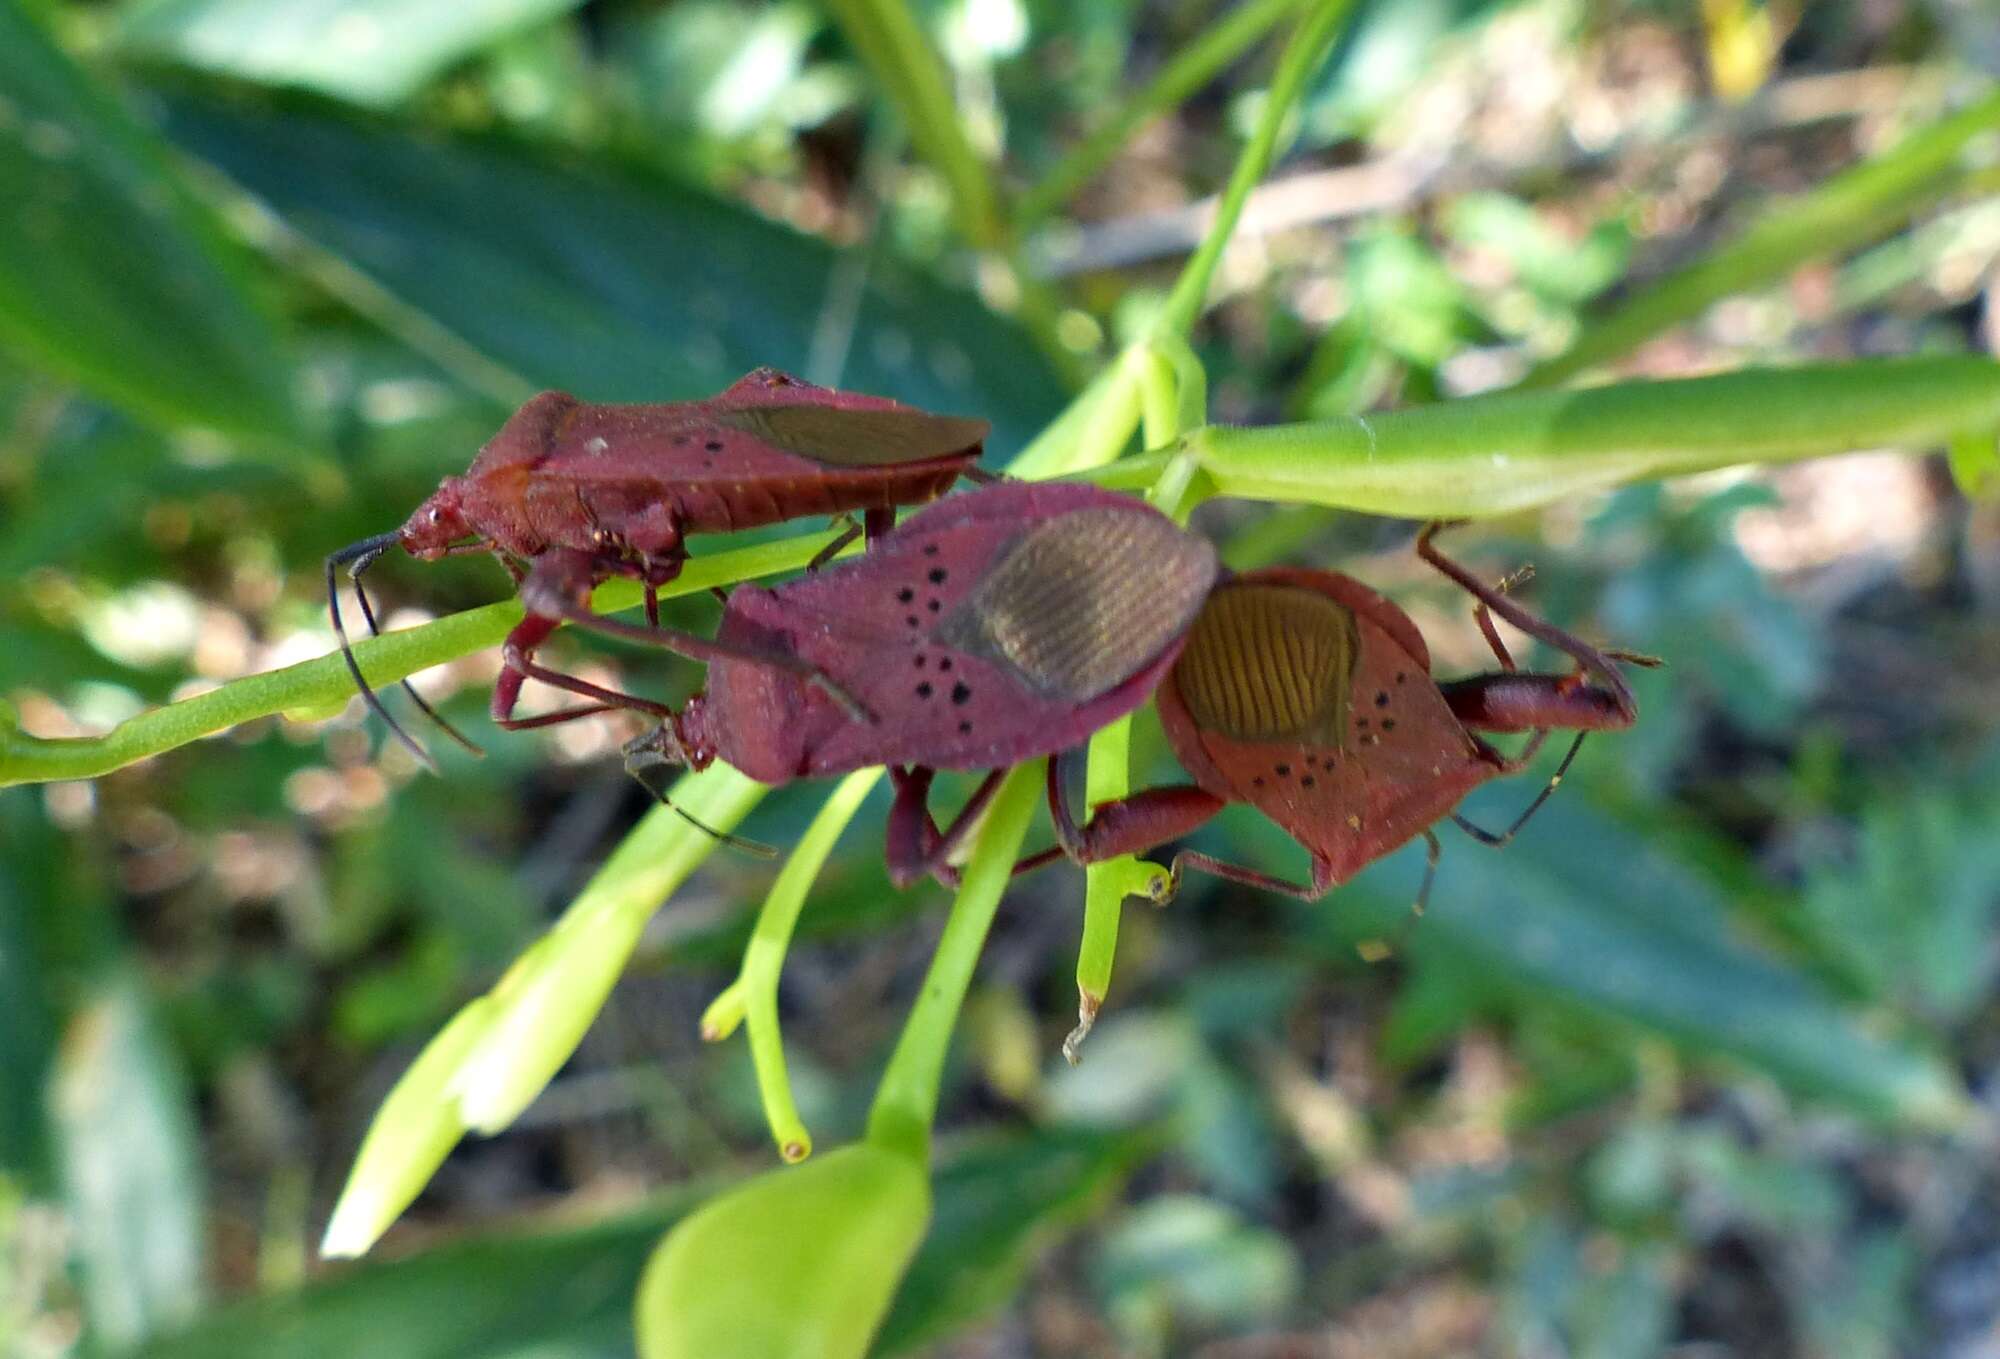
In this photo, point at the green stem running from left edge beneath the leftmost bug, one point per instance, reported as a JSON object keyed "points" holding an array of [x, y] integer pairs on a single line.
{"points": [[323, 686]]}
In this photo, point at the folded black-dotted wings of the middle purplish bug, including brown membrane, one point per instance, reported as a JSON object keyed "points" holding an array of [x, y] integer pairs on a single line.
{"points": [[985, 633]]}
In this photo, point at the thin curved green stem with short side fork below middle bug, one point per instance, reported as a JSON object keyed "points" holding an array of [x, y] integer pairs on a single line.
{"points": [[753, 998]]}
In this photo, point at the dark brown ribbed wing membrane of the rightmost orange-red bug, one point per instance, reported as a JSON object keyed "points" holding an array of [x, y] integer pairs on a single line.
{"points": [[1271, 663]]}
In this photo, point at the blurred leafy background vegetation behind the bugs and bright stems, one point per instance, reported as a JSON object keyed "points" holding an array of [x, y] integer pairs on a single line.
{"points": [[1703, 1066]]}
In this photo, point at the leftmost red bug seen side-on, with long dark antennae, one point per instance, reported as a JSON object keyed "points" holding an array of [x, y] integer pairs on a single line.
{"points": [[571, 495]]}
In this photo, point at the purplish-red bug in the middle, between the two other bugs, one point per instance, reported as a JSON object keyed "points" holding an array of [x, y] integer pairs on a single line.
{"points": [[991, 629]]}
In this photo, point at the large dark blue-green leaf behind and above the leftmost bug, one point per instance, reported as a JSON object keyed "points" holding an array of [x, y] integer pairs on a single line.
{"points": [[595, 281]]}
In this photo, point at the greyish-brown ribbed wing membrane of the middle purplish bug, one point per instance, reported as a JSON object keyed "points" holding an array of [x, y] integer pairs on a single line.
{"points": [[1085, 601]]}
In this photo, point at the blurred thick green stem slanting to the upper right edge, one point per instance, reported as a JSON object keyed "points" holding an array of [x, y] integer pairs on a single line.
{"points": [[1857, 207]]}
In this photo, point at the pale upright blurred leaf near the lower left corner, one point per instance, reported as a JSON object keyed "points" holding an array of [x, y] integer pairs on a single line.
{"points": [[131, 1172]]}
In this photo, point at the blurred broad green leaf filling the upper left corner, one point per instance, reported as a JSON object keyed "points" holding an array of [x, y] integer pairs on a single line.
{"points": [[111, 277]]}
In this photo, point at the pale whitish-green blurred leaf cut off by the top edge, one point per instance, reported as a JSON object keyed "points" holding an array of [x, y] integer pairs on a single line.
{"points": [[365, 51]]}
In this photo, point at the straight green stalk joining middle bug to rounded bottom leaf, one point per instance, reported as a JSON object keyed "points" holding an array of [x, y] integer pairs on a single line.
{"points": [[907, 1100]]}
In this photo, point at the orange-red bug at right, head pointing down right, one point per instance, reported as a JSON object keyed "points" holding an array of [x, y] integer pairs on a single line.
{"points": [[1311, 698]]}
